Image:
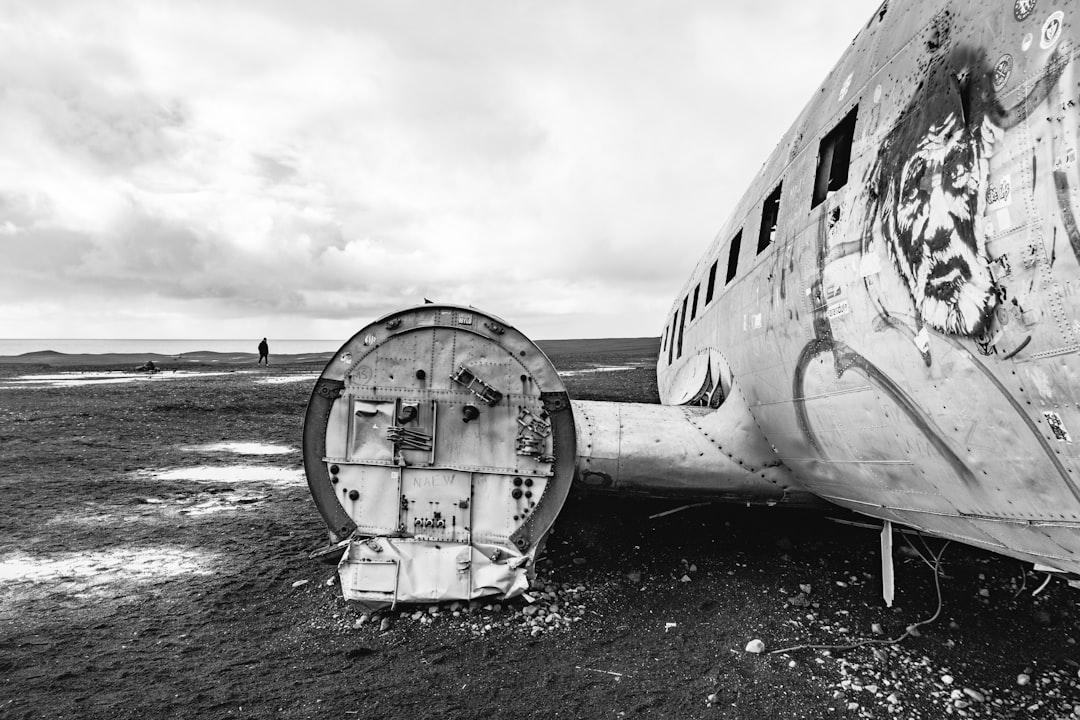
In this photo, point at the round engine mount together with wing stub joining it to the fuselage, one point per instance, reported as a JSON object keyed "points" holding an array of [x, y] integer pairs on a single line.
{"points": [[440, 445]]}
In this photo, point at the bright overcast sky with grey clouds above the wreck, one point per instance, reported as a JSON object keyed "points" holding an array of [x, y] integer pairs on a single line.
{"points": [[294, 170]]}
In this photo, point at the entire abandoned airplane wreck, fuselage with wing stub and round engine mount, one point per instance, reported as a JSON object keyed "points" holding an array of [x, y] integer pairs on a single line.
{"points": [[889, 323]]}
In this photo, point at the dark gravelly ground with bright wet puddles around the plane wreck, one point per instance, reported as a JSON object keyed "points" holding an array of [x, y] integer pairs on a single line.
{"points": [[129, 595]]}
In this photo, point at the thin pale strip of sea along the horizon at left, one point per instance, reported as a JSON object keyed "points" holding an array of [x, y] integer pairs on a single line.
{"points": [[11, 347]]}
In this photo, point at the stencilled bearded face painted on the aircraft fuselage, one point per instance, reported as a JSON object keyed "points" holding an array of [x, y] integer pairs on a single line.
{"points": [[933, 235]]}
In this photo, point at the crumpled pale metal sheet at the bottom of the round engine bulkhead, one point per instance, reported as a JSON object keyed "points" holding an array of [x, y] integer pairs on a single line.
{"points": [[382, 572]]}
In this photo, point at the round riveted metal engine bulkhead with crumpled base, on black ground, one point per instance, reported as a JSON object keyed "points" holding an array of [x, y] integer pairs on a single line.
{"points": [[439, 446]]}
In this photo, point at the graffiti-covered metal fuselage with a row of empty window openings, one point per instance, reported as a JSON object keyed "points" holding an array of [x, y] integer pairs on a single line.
{"points": [[909, 343]]}
